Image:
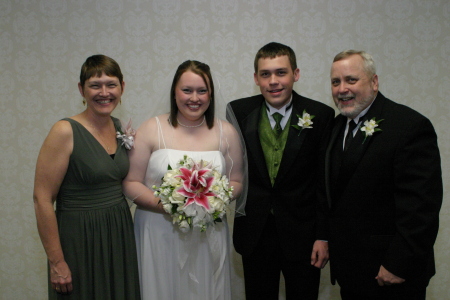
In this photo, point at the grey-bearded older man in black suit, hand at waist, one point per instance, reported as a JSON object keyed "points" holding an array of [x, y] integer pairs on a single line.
{"points": [[383, 186]]}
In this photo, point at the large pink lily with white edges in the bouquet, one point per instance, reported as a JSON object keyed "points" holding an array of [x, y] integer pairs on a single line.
{"points": [[196, 186]]}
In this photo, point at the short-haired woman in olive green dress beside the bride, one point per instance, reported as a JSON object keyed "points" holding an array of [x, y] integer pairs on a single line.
{"points": [[89, 240]]}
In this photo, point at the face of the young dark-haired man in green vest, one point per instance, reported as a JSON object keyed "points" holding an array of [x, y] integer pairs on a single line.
{"points": [[275, 79]]}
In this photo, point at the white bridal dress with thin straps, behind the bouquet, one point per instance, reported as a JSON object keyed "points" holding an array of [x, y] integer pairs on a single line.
{"points": [[174, 265]]}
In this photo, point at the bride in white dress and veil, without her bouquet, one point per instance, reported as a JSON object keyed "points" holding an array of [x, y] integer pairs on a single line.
{"points": [[172, 264]]}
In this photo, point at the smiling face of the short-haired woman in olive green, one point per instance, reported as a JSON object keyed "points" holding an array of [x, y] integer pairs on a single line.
{"points": [[102, 93]]}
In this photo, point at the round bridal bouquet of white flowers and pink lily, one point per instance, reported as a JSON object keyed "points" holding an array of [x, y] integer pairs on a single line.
{"points": [[194, 194]]}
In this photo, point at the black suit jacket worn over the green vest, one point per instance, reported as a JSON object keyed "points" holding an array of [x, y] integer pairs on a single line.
{"points": [[293, 198]]}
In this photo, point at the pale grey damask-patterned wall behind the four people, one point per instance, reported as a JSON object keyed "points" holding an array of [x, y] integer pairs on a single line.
{"points": [[43, 44]]}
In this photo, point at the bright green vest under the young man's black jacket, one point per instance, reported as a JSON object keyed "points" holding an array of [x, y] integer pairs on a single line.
{"points": [[272, 146]]}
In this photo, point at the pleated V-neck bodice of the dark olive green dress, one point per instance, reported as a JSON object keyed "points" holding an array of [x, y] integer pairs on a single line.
{"points": [[93, 179]]}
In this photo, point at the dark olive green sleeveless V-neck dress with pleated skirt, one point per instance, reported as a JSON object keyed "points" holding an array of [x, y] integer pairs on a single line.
{"points": [[95, 223]]}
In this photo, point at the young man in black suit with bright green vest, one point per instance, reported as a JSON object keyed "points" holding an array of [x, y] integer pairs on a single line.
{"points": [[284, 229]]}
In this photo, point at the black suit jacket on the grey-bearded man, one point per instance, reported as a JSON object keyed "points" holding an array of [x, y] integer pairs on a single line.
{"points": [[385, 201]]}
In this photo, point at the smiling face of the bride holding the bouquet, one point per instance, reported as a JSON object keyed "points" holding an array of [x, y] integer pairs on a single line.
{"points": [[192, 97]]}
